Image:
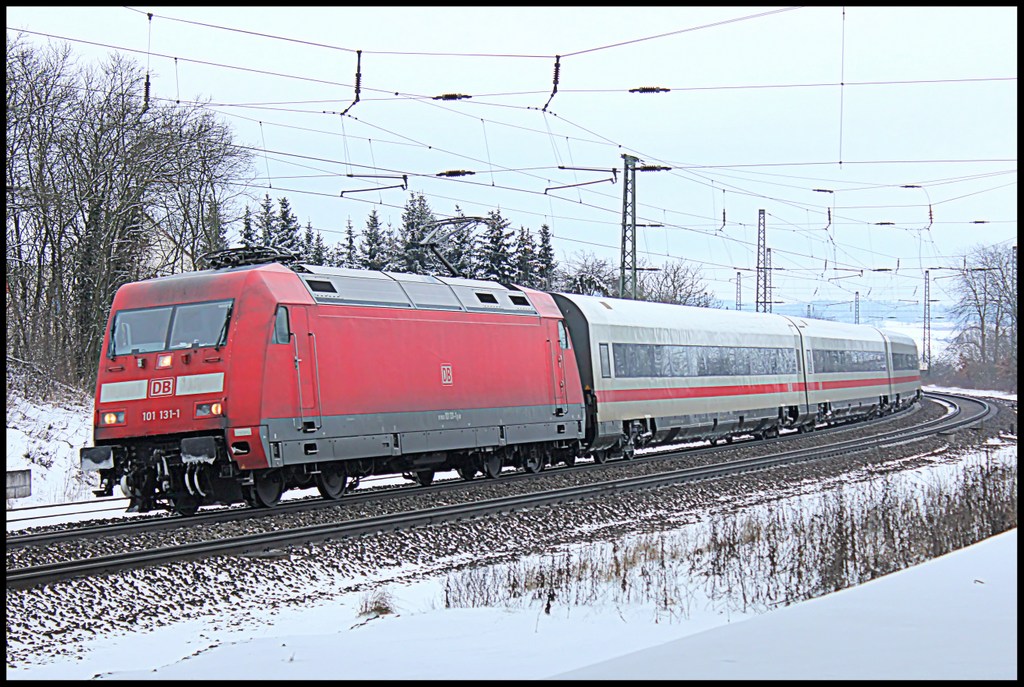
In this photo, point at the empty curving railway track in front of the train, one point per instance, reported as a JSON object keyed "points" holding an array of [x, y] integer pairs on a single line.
{"points": [[967, 412]]}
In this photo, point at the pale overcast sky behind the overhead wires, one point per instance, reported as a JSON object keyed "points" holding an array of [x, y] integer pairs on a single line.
{"points": [[731, 146]]}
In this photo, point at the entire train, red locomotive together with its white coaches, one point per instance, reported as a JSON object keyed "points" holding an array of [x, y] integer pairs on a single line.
{"points": [[238, 383]]}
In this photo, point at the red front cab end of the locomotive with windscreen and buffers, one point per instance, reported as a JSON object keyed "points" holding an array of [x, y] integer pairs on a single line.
{"points": [[180, 372]]}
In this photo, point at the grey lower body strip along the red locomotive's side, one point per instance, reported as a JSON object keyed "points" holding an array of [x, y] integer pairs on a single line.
{"points": [[396, 435]]}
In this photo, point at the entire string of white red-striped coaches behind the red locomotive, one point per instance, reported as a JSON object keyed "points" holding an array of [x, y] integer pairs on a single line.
{"points": [[655, 373]]}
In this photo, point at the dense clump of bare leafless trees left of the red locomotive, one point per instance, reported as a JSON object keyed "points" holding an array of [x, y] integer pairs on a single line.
{"points": [[103, 189]]}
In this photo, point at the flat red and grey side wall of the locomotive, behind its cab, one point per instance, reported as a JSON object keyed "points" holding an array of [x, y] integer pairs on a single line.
{"points": [[390, 382]]}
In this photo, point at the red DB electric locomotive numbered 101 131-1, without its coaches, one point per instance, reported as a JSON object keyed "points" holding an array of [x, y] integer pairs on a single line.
{"points": [[236, 384]]}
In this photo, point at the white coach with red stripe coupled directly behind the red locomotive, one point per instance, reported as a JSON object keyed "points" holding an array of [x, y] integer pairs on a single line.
{"points": [[655, 373]]}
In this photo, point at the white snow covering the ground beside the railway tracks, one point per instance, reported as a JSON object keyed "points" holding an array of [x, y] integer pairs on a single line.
{"points": [[955, 617]]}
